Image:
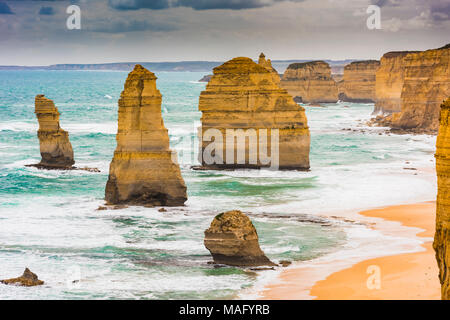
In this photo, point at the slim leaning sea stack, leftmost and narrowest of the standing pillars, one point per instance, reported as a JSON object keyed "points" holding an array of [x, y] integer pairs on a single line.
{"points": [[56, 149]]}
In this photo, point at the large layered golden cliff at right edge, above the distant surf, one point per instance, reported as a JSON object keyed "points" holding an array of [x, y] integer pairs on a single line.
{"points": [[426, 85]]}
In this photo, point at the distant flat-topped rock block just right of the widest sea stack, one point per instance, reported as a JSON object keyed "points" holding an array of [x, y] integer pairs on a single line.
{"points": [[310, 82]]}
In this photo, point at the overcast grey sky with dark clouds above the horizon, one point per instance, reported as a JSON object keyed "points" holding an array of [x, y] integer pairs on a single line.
{"points": [[35, 32]]}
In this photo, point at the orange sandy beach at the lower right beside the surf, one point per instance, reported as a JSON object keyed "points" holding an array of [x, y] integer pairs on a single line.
{"points": [[404, 276]]}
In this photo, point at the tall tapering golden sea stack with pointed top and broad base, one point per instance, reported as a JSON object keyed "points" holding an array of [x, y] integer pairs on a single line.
{"points": [[143, 170]]}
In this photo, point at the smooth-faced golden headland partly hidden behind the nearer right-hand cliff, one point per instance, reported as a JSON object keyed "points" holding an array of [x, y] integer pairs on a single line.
{"points": [[389, 82]]}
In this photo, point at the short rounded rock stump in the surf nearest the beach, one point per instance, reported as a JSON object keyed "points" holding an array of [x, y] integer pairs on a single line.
{"points": [[232, 240]]}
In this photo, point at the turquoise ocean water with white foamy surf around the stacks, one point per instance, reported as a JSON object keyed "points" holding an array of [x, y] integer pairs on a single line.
{"points": [[49, 221]]}
